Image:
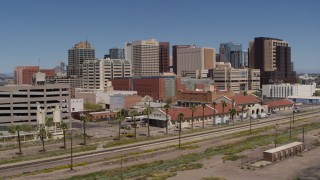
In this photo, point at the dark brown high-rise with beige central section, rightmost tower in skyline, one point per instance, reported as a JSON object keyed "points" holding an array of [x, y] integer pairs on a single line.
{"points": [[273, 57]]}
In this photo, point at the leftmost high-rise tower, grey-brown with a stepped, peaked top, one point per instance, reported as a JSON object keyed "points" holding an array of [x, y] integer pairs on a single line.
{"points": [[81, 52]]}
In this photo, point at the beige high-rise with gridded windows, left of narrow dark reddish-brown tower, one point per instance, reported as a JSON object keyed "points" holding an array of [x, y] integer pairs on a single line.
{"points": [[144, 56]]}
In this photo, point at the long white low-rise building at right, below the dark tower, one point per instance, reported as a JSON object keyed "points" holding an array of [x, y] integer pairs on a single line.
{"points": [[286, 90]]}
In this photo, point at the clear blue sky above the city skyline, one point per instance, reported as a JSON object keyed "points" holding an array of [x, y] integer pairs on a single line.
{"points": [[45, 30]]}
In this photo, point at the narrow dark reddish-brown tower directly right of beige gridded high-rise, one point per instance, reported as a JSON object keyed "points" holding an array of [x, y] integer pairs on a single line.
{"points": [[164, 59]]}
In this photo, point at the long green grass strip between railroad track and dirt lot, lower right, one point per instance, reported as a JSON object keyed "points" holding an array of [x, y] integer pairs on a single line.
{"points": [[162, 166]]}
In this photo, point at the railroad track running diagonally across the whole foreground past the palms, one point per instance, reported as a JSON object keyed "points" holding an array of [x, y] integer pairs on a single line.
{"points": [[228, 130]]}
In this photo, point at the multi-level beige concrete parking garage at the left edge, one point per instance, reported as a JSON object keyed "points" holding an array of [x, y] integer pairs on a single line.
{"points": [[19, 102]]}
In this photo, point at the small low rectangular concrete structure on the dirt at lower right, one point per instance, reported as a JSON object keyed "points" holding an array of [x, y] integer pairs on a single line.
{"points": [[283, 152]]}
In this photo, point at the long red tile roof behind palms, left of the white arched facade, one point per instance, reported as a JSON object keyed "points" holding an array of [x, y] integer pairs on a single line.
{"points": [[208, 111]]}
